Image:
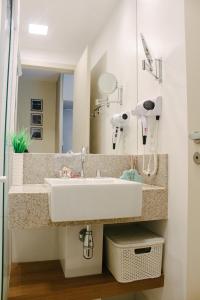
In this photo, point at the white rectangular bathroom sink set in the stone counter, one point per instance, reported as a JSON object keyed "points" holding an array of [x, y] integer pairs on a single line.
{"points": [[80, 199]]}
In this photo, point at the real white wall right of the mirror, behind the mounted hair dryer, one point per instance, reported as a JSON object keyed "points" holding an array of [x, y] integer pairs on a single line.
{"points": [[162, 23]]}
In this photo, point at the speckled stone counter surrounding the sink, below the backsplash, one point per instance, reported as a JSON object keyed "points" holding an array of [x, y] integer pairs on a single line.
{"points": [[28, 207]]}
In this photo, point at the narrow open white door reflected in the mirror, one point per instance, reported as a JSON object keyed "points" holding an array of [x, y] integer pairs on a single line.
{"points": [[81, 104]]}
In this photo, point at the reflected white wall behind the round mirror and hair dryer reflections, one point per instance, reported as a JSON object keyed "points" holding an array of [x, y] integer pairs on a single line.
{"points": [[115, 51]]}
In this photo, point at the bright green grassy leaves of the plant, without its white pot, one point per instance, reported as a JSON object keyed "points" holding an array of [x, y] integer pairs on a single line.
{"points": [[20, 141]]}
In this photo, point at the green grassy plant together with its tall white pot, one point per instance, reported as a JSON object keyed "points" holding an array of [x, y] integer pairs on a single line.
{"points": [[20, 143]]}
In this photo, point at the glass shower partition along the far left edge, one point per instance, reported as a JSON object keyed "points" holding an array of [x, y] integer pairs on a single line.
{"points": [[5, 45]]}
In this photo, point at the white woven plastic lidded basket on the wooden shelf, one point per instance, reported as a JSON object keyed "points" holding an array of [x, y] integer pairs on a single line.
{"points": [[130, 259]]}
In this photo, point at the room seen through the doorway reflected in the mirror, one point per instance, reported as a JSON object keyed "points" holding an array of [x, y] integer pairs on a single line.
{"points": [[56, 92]]}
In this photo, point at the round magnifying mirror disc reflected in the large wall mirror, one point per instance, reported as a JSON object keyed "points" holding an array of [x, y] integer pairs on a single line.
{"points": [[107, 83]]}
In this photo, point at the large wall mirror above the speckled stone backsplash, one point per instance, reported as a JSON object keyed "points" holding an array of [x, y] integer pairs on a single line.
{"points": [[78, 83]]}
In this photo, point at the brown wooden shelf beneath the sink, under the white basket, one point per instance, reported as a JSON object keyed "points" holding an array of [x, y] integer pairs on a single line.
{"points": [[45, 280]]}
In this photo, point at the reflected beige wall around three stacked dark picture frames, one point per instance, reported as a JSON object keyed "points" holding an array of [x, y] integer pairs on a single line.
{"points": [[47, 91]]}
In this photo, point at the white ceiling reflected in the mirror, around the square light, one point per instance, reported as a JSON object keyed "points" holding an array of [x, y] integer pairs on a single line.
{"points": [[73, 24]]}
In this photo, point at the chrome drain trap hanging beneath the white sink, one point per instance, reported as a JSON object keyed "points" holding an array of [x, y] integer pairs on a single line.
{"points": [[85, 236]]}
